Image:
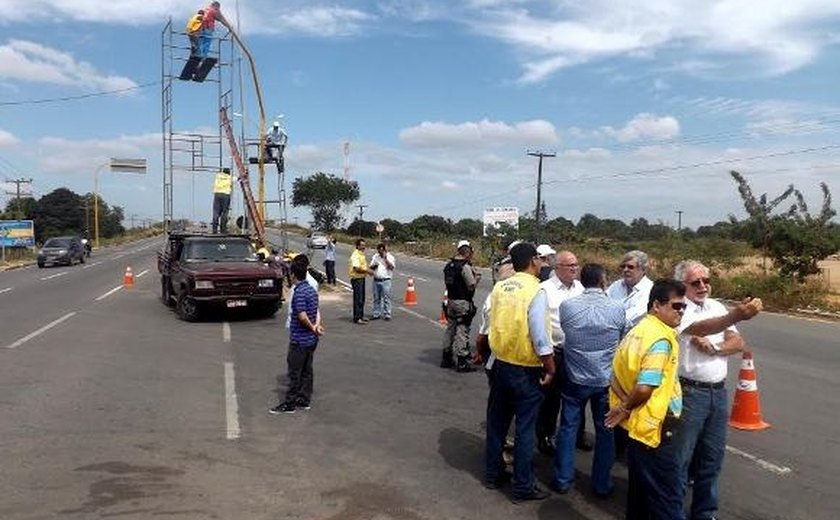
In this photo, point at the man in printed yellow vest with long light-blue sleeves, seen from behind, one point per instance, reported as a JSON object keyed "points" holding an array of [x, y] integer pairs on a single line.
{"points": [[524, 361]]}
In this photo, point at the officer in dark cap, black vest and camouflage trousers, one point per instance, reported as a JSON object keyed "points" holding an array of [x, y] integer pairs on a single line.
{"points": [[460, 279]]}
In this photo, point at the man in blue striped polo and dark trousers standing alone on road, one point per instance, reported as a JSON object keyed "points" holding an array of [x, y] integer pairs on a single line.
{"points": [[304, 331]]}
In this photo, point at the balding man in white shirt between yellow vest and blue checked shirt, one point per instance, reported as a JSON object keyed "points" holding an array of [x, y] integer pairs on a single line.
{"points": [[562, 285]]}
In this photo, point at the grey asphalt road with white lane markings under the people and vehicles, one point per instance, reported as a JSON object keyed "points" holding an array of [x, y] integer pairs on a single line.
{"points": [[111, 406]]}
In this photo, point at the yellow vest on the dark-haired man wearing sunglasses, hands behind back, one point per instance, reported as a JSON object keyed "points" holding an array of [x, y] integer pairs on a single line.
{"points": [[645, 342]]}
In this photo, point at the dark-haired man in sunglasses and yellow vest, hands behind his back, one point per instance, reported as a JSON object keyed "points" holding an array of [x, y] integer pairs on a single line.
{"points": [[646, 400]]}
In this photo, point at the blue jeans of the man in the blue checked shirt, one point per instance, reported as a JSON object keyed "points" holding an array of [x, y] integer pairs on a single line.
{"points": [[574, 403]]}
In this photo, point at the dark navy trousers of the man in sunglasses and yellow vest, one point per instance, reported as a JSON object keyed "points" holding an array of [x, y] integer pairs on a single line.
{"points": [[654, 490]]}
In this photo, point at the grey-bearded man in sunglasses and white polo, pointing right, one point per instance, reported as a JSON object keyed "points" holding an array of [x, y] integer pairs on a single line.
{"points": [[707, 337]]}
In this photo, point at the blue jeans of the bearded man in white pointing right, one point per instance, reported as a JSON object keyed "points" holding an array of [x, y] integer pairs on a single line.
{"points": [[701, 444]]}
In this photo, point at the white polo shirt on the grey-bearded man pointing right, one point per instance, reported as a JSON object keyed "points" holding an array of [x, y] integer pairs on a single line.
{"points": [[694, 364]]}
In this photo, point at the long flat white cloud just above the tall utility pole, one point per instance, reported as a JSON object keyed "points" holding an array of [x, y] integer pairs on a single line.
{"points": [[484, 133]]}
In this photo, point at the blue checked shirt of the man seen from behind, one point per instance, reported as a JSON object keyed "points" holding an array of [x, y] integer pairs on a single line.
{"points": [[594, 325]]}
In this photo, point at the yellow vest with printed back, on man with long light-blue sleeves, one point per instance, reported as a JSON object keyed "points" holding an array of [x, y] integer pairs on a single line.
{"points": [[510, 335]]}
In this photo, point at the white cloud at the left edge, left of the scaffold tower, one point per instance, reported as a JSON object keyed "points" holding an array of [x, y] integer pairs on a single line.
{"points": [[29, 61]]}
